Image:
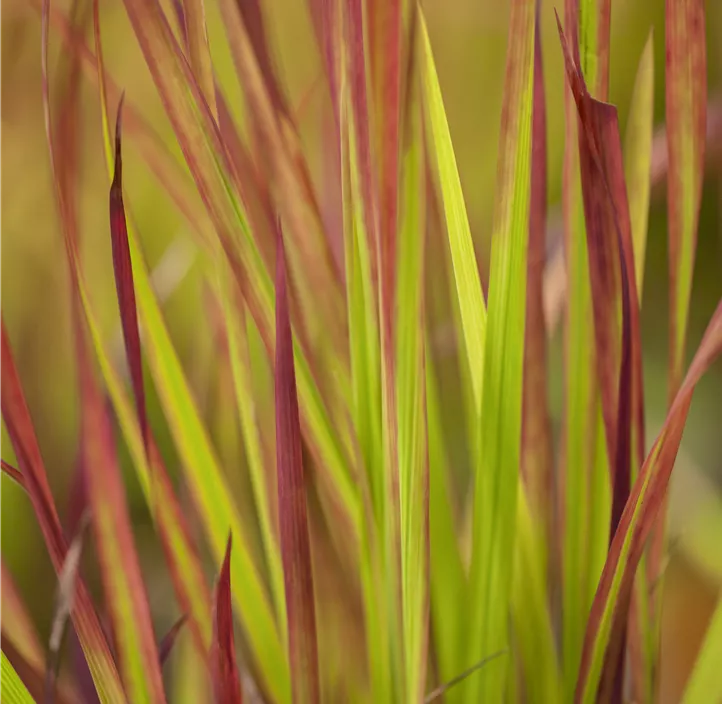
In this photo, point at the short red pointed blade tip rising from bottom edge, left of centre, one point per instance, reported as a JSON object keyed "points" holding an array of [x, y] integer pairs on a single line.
{"points": [[224, 674]]}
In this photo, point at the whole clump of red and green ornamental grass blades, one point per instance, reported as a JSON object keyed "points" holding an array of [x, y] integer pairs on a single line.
{"points": [[354, 568]]}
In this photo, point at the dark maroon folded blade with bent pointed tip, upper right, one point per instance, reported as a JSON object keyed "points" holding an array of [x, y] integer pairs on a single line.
{"points": [[612, 275]]}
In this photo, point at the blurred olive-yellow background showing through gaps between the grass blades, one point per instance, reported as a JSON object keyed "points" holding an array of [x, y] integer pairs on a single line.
{"points": [[469, 41]]}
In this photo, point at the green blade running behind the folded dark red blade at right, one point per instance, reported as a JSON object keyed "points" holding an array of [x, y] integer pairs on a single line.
{"points": [[585, 464]]}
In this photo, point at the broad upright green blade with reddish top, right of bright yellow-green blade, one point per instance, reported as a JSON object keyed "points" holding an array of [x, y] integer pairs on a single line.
{"points": [[497, 476]]}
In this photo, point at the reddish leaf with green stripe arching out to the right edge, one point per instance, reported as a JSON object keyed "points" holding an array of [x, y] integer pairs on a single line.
{"points": [[647, 496]]}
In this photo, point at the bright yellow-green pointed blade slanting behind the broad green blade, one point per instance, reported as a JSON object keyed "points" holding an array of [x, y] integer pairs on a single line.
{"points": [[466, 273]]}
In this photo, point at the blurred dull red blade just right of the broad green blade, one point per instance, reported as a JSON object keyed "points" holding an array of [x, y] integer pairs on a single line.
{"points": [[536, 449]]}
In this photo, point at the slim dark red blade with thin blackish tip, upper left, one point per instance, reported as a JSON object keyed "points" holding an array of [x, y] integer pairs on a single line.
{"points": [[124, 282]]}
